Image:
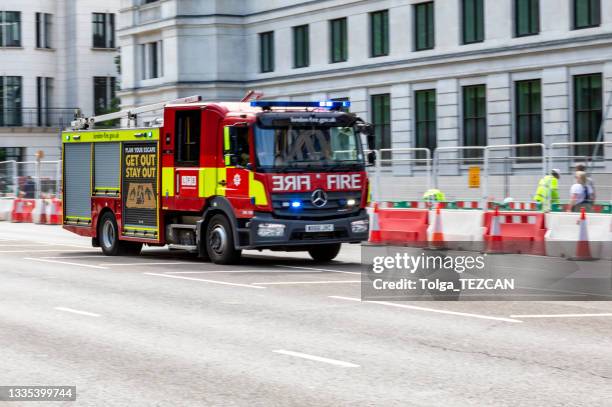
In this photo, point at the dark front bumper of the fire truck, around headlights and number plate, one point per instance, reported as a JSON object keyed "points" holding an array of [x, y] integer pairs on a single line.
{"points": [[295, 234]]}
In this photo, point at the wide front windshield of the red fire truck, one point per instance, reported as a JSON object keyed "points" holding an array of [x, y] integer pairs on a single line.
{"points": [[306, 148]]}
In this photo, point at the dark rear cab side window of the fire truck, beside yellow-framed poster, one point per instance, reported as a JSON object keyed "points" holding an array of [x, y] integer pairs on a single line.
{"points": [[187, 148]]}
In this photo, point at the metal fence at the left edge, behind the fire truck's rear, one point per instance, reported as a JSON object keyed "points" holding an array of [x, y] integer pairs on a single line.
{"points": [[30, 179]]}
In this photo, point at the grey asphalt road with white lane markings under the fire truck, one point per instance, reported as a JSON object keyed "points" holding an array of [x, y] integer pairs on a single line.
{"points": [[166, 329]]}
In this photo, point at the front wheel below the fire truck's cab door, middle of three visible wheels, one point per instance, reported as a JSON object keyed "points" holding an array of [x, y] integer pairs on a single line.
{"points": [[220, 241]]}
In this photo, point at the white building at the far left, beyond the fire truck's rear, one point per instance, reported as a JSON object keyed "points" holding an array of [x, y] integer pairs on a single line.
{"points": [[57, 56]]}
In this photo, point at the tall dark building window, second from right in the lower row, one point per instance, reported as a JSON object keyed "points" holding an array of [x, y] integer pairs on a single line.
{"points": [[529, 116]]}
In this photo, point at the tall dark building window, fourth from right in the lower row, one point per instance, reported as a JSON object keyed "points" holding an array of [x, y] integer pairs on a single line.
{"points": [[425, 125]]}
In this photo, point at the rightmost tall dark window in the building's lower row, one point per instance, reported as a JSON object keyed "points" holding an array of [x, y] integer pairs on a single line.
{"points": [[587, 110]]}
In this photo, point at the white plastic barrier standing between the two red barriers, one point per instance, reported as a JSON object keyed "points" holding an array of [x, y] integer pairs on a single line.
{"points": [[459, 226]]}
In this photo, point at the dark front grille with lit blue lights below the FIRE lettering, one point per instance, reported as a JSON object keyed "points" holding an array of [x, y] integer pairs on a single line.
{"points": [[336, 206]]}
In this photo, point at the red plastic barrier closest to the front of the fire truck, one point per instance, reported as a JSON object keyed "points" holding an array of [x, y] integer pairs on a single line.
{"points": [[402, 226]]}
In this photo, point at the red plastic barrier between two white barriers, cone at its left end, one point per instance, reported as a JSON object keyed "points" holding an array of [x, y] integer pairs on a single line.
{"points": [[519, 232]]}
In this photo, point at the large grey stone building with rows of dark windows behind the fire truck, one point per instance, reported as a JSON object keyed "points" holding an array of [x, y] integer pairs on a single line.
{"points": [[428, 74]]}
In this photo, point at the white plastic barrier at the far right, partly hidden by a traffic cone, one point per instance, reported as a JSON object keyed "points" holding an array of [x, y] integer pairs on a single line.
{"points": [[563, 233]]}
